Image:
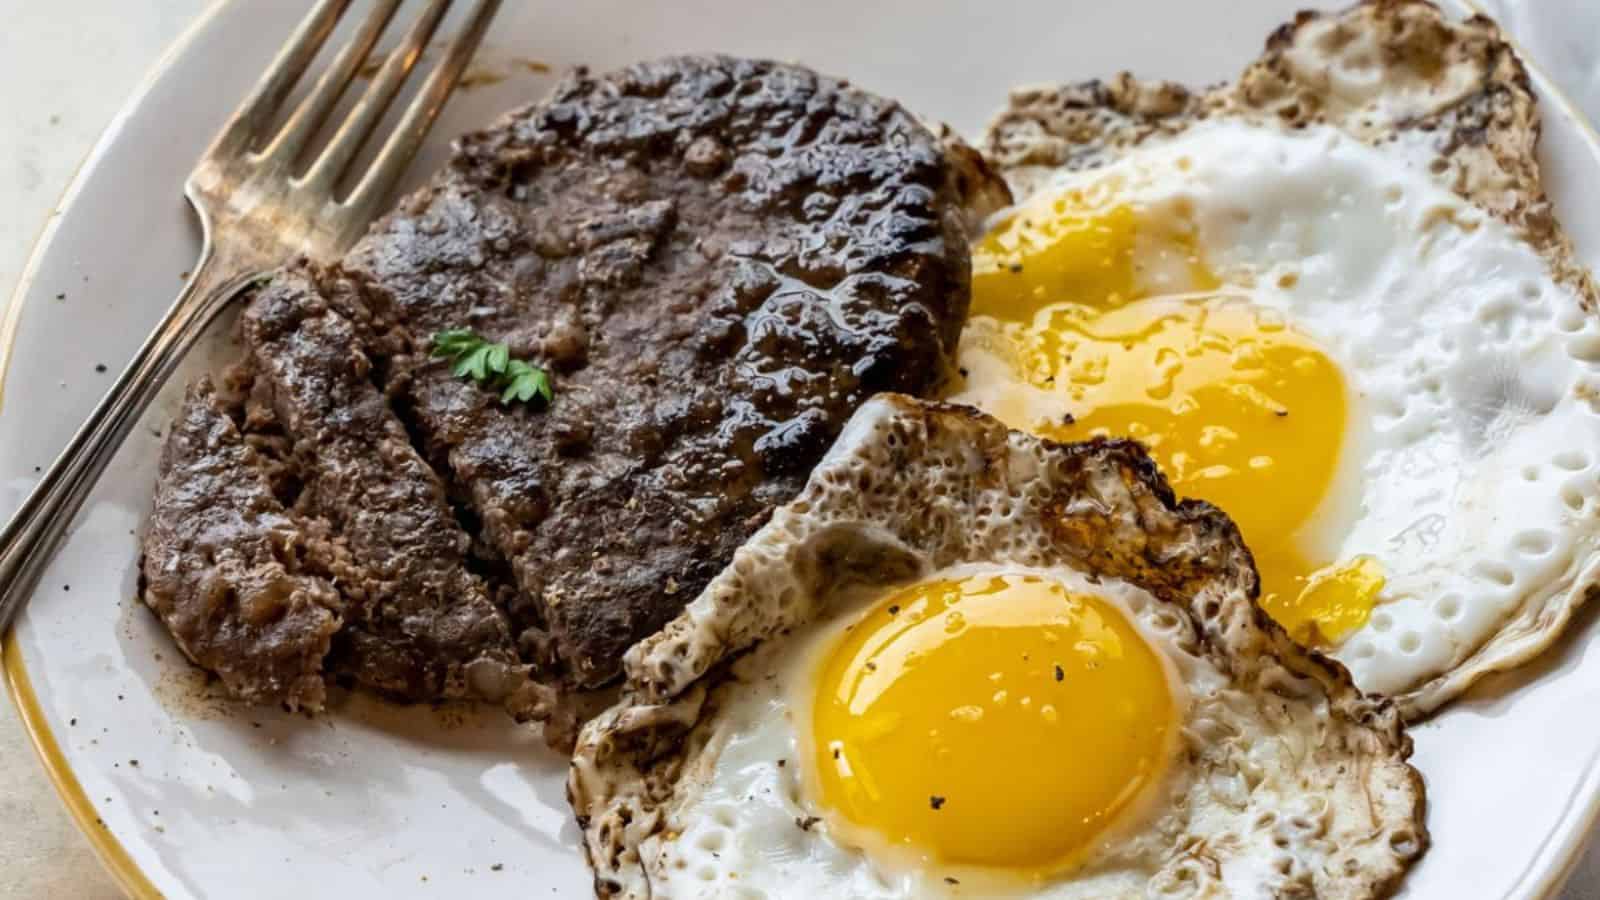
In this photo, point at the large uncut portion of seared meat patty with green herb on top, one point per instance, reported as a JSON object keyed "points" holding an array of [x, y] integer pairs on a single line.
{"points": [[721, 260]]}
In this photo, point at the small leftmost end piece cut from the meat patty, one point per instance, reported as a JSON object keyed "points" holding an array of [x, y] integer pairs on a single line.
{"points": [[223, 565]]}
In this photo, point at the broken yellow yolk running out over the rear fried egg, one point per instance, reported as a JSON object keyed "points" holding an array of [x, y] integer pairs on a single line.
{"points": [[1111, 311]]}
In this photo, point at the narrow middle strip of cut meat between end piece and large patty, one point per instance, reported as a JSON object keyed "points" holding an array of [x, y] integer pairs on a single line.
{"points": [[420, 625]]}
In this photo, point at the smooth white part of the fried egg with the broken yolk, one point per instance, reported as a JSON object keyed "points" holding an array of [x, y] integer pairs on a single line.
{"points": [[1471, 468]]}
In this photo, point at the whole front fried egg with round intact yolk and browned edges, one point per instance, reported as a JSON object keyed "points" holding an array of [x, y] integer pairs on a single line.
{"points": [[967, 662]]}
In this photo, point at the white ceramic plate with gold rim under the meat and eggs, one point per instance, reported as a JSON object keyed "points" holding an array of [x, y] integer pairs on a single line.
{"points": [[186, 797]]}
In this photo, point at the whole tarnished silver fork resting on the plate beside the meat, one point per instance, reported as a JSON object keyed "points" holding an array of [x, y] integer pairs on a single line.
{"points": [[257, 211]]}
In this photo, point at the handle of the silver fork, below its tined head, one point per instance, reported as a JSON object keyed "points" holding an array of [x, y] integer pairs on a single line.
{"points": [[34, 534]]}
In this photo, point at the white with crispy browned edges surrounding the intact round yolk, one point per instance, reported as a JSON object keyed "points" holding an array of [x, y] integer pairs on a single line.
{"points": [[1284, 779]]}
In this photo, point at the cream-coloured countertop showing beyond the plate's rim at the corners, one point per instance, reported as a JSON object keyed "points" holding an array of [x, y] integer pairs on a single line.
{"points": [[66, 68]]}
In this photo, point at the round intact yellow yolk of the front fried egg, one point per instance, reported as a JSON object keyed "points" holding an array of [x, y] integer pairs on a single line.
{"points": [[990, 721]]}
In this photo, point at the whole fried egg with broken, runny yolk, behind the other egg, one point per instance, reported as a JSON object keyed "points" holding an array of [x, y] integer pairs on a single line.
{"points": [[1337, 331]]}
